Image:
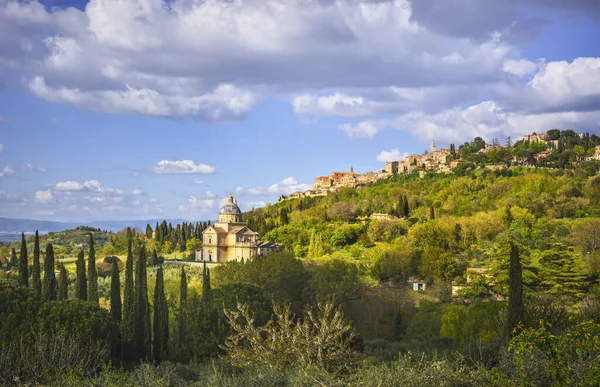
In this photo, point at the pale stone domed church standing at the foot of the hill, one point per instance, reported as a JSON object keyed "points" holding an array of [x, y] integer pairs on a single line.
{"points": [[230, 239]]}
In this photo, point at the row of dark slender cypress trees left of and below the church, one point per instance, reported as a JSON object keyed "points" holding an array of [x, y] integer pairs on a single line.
{"points": [[140, 340]]}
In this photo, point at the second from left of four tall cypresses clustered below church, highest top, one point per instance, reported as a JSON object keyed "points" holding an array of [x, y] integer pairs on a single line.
{"points": [[128, 326]]}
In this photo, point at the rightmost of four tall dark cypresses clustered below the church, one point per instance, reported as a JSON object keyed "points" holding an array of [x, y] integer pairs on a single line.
{"points": [[161, 319]]}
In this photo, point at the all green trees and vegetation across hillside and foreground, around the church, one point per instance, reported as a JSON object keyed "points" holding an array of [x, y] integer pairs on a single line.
{"points": [[341, 292]]}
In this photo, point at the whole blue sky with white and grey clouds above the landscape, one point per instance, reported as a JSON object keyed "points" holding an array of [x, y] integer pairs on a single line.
{"points": [[142, 109]]}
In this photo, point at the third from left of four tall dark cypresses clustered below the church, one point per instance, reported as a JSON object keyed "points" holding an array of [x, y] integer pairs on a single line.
{"points": [[142, 309]]}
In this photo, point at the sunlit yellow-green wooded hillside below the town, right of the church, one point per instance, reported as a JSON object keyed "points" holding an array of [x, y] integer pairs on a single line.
{"points": [[454, 222]]}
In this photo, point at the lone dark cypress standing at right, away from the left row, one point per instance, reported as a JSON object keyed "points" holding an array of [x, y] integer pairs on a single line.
{"points": [[515, 289]]}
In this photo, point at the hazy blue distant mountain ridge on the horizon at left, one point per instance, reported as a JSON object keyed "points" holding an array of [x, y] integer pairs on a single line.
{"points": [[12, 226]]}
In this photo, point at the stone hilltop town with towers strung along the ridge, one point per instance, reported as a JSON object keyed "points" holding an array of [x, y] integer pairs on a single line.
{"points": [[445, 160]]}
